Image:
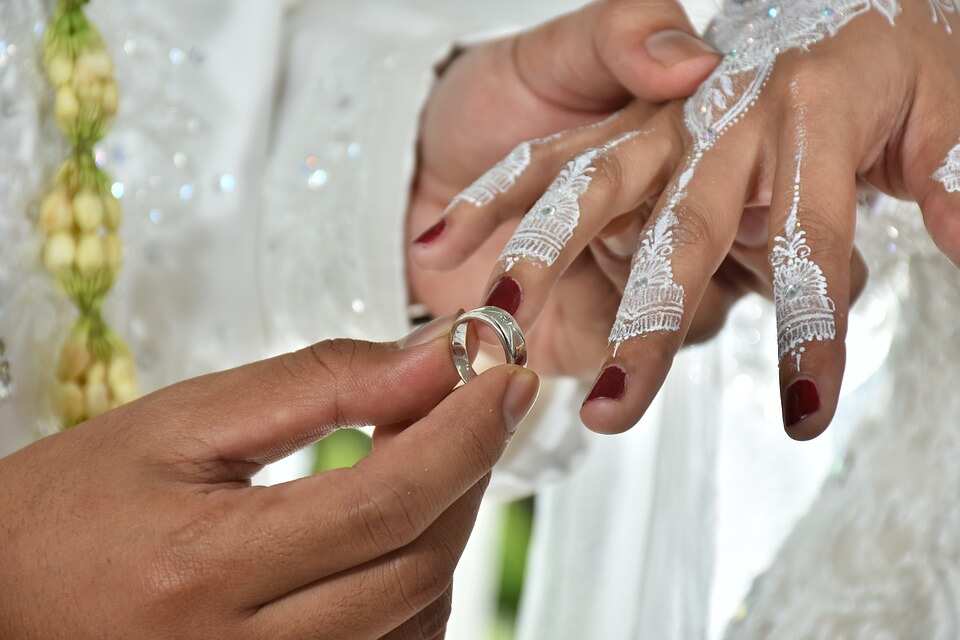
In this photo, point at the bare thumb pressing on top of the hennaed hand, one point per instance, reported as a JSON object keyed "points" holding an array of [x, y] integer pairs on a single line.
{"points": [[602, 55]]}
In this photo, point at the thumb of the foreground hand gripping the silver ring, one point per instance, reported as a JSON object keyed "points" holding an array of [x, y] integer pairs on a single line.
{"points": [[266, 410]]}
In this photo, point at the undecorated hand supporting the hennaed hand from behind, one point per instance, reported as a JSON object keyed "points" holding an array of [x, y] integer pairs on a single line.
{"points": [[565, 76]]}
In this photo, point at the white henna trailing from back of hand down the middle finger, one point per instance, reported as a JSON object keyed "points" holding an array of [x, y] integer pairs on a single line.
{"points": [[751, 34]]}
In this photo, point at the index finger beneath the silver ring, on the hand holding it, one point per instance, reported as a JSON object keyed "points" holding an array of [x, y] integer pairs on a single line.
{"points": [[391, 497]]}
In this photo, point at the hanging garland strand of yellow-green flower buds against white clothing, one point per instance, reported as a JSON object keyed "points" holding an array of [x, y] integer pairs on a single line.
{"points": [[80, 219]]}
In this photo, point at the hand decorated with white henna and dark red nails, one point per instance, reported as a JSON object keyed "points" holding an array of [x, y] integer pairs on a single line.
{"points": [[810, 96]]}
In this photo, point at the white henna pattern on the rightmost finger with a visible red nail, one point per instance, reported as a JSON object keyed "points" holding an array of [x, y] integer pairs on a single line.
{"points": [[804, 311]]}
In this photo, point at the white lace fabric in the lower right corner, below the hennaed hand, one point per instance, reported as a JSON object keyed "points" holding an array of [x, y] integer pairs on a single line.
{"points": [[878, 554]]}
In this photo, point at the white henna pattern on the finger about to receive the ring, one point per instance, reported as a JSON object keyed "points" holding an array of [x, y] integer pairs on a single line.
{"points": [[549, 225]]}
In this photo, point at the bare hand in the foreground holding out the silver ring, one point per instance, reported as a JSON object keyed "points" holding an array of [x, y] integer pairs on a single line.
{"points": [[142, 523]]}
